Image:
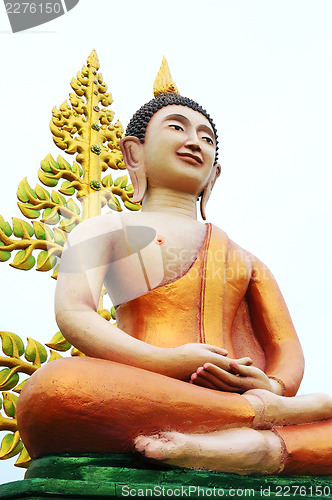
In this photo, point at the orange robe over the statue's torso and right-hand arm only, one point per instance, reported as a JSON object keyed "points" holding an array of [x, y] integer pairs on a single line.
{"points": [[228, 299]]}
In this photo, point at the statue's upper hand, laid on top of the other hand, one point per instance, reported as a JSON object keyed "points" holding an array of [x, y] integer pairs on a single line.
{"points": [[188, 358]]}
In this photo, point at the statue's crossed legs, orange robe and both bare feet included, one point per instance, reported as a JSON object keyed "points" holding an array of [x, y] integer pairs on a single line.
{"points": [[92, 405]]}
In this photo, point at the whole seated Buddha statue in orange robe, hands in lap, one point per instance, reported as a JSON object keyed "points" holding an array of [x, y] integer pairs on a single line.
{"points": [[203, 366]]}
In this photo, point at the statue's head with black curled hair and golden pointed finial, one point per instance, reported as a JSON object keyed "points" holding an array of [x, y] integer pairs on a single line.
{"points": [[152, 115]]}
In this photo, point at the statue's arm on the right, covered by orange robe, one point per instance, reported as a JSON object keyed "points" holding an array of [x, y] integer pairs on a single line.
{"points": [[274, 329]]}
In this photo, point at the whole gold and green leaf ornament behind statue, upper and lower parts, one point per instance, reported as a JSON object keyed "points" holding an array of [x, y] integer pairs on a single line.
{"points": [[82, 127]]}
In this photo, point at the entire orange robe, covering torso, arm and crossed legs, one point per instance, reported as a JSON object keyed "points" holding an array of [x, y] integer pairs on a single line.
{"points": [[227, 299]]}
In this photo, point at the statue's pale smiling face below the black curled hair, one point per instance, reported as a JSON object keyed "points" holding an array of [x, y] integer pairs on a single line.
{"points": [[179, 149]]}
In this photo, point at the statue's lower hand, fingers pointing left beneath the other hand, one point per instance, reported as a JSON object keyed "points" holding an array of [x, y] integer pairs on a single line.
{"points": [[238, 378]]}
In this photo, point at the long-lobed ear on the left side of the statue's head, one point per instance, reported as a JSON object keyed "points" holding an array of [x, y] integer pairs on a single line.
{"points": [[132, 151]]}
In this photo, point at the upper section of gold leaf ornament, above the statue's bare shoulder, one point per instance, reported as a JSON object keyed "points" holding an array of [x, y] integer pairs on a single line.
{"points": [[82, 127]]}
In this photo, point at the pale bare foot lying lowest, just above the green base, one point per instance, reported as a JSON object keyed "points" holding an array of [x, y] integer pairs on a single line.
{"points": [[240, 451]]}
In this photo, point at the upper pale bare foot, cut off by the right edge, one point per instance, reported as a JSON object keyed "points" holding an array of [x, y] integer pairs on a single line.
{"points": [[272, 410]]}
